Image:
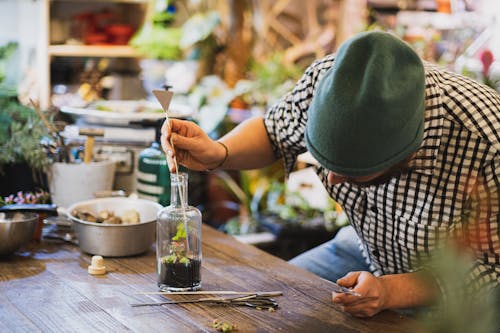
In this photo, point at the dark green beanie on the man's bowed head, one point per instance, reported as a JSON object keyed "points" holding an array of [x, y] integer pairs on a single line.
{"points": [[368, 111]]}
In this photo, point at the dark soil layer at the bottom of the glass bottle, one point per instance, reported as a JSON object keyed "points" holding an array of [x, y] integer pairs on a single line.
{"points": [[180, 276]]}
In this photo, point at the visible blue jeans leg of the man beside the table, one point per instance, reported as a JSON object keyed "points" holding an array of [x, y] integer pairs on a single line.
{"points": [[335, 258]]}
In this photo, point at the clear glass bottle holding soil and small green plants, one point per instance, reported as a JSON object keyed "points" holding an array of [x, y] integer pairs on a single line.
{"points": [[178, 240]]}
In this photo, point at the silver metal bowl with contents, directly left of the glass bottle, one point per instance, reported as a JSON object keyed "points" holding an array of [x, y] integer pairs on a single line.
{"points": [[116, 240]]}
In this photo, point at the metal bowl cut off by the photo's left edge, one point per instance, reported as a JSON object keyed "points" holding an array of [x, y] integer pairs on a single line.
{"points": [[16, 229]]}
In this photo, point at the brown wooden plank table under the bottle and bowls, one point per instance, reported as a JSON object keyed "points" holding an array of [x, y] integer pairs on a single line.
{"points": [[47, 288]]}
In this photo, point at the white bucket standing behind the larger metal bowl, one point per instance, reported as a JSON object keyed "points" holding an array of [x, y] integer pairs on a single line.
{"points": [[70, 183]]}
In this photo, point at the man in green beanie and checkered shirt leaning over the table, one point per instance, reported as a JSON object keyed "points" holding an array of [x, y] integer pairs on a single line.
{"points": [[410, 151]]}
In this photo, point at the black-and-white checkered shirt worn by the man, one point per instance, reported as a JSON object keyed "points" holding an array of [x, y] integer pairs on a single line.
{"points": [[451, 189]]}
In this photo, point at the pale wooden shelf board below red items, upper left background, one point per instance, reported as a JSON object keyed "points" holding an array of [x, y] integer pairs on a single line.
{"points": [[92, 51]]}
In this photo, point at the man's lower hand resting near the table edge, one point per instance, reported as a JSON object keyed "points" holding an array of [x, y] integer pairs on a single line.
{"points": [[372, 290]]}
